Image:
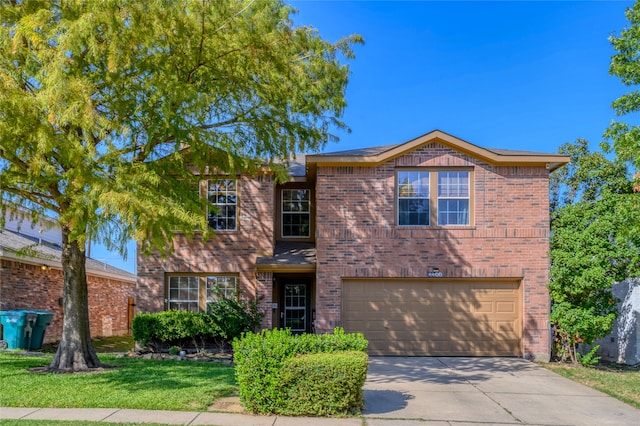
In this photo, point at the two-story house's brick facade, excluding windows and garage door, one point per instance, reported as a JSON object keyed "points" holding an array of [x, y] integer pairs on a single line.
{"points": [[356, 234]]}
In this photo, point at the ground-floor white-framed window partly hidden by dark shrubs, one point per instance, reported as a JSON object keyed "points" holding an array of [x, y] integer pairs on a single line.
{"points": [[195, 292]]}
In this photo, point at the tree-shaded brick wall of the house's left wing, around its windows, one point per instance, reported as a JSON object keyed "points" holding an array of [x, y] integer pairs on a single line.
{"points": [[226, 252]]}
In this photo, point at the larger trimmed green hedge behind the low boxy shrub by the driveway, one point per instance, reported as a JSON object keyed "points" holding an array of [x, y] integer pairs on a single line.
{"points": [[260, 360]]}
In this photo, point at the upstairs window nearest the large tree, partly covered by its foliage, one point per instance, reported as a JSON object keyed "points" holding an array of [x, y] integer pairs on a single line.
{"points": [[223, 194]]}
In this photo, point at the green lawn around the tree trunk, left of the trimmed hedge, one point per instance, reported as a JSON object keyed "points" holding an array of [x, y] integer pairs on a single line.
{"points": [[137, 384]]}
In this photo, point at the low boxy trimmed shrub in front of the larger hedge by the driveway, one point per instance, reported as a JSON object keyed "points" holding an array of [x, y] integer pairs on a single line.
{"points": [[324, 384]]}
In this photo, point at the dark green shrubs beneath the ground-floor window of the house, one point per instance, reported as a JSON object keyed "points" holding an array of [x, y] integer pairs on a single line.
{"points": [[226, 320]]}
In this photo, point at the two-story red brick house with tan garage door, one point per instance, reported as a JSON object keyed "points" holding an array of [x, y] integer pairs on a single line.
{"points": [[431, 247]]}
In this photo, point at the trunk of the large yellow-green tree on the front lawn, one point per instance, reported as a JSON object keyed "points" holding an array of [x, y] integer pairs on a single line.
{"points": [[75, 352]]}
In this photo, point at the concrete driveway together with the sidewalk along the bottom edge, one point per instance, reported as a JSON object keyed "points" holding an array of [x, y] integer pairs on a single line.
{"points": [[417, 392]]}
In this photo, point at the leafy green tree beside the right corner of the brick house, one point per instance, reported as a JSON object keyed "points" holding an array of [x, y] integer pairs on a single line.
{"points": [[595, 241]]}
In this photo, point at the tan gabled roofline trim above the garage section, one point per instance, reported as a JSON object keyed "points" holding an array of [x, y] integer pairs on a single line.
{"points": [[550, 161]]}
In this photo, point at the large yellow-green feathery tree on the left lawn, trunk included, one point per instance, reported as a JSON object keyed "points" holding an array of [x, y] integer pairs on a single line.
{"points": [[110, 111]]}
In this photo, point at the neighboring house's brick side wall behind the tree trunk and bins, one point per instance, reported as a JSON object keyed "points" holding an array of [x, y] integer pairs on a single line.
{"points": [[27, 286]]}
